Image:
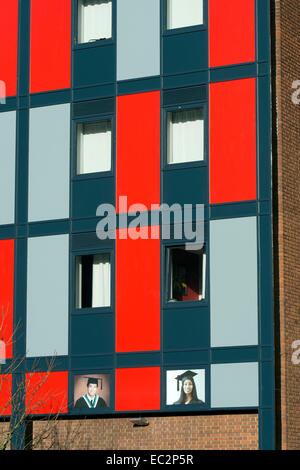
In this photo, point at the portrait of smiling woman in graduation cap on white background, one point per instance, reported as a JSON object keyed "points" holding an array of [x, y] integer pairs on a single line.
{"points": [[186, 386]]}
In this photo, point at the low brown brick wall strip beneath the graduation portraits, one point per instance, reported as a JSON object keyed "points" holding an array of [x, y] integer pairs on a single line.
{"points": [[214, 432]]}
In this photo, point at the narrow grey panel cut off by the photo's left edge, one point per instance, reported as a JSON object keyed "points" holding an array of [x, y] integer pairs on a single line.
{"points": [[7, 167]]}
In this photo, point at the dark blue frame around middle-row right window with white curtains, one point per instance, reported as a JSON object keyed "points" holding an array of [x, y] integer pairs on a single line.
{"points": [[183, 107]]}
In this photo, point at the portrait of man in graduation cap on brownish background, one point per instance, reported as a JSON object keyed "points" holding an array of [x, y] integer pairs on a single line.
{"points": [[92, 391]]}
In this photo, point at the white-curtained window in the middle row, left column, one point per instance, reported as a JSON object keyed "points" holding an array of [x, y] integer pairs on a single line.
{"points": [[93, 147]]}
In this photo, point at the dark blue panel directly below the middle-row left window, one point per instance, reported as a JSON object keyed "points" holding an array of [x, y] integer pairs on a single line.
{"points": [[88, 194]]}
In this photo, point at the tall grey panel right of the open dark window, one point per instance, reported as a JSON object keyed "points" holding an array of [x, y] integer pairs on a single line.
{"points": [[233, 282]]}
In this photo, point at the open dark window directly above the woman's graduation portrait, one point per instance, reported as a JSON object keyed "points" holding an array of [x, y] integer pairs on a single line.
{"points": [[185, 274]]}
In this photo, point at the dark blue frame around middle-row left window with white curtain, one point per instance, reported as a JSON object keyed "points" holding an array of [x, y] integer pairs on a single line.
{"points": [[91, 119]]}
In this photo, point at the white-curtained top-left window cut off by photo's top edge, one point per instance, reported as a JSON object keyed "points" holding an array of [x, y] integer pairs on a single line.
{"points": [[94, 20]]}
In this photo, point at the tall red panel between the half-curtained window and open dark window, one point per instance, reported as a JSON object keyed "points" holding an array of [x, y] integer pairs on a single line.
{"points": [[137, 293]]}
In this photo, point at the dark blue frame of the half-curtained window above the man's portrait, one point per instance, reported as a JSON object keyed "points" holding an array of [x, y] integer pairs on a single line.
{"points": [[91, 310]]}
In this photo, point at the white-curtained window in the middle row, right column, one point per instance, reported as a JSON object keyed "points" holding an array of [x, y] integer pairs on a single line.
{"points": [[185, 135]]}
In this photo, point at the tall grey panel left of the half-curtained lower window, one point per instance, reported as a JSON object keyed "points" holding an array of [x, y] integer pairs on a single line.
{"points": [[47, 296]]}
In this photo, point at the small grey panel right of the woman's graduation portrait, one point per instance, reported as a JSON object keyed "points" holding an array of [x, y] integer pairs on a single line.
{"points": [[234, 385]]}
